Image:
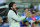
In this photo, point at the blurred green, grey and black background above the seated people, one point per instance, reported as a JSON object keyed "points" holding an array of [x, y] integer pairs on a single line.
{"points": [[21, 4]]}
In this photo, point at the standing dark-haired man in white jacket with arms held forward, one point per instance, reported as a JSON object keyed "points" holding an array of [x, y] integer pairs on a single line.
{"points": [[13, 17]]}
